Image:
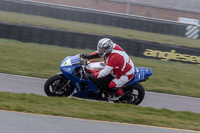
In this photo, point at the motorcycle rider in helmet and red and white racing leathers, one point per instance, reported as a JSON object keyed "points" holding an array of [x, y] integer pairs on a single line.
{"points": [[117, 62]]}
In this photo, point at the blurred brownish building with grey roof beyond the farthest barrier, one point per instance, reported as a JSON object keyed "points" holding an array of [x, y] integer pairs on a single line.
{"points": [[168, 10]]}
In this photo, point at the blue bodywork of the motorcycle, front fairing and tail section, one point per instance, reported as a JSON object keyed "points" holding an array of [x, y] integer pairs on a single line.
{"points": [[70, 63]]}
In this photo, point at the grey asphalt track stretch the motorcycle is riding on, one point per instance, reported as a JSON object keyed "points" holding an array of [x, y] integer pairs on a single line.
{"points": [[22, 84]]}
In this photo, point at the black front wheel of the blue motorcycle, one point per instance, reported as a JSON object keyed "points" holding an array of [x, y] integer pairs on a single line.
{"points": [[58, 85]]}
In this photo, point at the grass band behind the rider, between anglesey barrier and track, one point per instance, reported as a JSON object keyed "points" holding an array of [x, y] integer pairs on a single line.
{"points": [[43, 61]]}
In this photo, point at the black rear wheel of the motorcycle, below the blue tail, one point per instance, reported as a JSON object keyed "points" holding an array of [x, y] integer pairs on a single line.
{"points": [[135, 93]]}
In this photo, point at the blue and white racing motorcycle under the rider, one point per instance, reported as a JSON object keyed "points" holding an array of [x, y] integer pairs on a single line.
{"points": [[74, 81]]}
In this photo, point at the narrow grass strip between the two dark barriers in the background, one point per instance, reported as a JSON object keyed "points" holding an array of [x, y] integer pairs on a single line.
{"points": [[11, 17]]}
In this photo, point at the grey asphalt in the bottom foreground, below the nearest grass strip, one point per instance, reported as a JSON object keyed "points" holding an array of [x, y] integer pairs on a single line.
{"points": [[15, 122]]}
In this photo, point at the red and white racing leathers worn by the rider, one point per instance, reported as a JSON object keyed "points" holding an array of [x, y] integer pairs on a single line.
{"points": [[119, 65]]}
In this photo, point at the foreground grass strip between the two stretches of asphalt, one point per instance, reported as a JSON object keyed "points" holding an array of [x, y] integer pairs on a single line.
{"points": [[124, 113]]}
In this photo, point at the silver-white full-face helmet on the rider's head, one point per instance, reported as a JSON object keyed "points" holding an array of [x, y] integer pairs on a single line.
{"points": [[104, 47]]}
